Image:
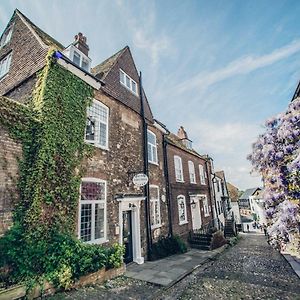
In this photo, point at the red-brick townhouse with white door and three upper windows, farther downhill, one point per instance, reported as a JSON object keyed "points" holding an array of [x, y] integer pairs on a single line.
{"points": [[189, 173]]}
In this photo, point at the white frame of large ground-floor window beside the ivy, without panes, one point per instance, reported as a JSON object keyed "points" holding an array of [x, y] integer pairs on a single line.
{"points": [[94, 202]]}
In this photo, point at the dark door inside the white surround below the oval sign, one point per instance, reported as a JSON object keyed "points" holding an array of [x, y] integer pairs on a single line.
{"points": [[127, 236]]}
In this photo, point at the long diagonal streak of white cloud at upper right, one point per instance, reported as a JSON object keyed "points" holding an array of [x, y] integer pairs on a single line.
{"points": [[239, 66]]}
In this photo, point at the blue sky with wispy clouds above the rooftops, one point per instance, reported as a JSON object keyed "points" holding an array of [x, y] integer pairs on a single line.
{"points": [[218, 68]]}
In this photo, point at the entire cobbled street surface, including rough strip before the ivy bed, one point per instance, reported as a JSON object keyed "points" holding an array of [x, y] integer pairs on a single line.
{"points": [[249, 270]]}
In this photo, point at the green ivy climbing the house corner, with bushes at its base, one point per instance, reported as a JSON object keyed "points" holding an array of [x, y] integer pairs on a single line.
{"points": [[41, 243]]}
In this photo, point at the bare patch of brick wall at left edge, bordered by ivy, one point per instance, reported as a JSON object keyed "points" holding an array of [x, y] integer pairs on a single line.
{"points": [[10, 152]]}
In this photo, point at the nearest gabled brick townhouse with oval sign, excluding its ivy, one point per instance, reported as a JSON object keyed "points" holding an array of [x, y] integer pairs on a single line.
{"points": [[120, 126]]}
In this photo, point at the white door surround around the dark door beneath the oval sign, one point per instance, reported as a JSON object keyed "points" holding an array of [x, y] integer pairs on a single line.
{"points": [[132, 204]]}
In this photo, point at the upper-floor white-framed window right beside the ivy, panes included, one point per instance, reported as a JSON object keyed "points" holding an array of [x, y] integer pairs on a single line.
{"points": [[96, 131]]}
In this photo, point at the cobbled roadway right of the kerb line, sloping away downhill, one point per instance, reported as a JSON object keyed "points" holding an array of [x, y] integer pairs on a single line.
{"points": [[250, 270]]}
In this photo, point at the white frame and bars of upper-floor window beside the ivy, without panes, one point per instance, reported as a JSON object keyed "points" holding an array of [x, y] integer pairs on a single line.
{"points": [[96, 141]]}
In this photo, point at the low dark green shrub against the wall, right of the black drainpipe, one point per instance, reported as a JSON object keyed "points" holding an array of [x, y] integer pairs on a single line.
{"points": [[166, 246]]}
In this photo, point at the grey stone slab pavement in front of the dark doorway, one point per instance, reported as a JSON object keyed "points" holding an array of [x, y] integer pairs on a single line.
{"points": [[167, 271]]}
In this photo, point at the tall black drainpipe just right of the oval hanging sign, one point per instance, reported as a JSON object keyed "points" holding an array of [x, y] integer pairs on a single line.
{"points": [[146, 171]]}
